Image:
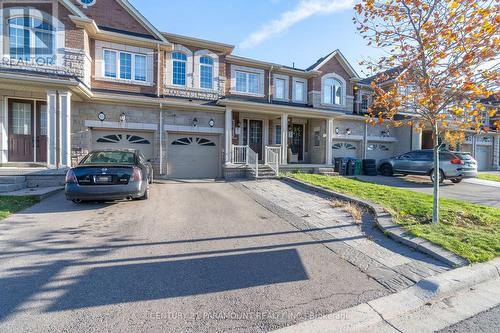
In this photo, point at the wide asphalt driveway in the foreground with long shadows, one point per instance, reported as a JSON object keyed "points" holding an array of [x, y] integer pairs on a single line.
{"points": [[196, 257]]}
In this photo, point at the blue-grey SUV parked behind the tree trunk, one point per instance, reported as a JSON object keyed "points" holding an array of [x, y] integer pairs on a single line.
{"points": [[421, 162]]}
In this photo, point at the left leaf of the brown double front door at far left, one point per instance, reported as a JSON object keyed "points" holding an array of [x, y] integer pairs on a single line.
{"points": [[21, 120]]}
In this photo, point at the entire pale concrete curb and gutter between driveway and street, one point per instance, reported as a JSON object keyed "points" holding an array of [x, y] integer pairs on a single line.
{"points": [[432, 304]]}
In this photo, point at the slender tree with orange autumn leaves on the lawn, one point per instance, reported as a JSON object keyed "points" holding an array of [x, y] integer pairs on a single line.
{"points": [[446, 57]]}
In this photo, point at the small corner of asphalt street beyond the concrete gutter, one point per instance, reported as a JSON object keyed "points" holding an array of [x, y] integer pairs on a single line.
{"points": [[485, 322]]}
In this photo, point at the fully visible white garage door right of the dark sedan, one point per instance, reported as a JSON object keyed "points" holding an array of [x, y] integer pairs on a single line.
{"points": [[193, 156]]}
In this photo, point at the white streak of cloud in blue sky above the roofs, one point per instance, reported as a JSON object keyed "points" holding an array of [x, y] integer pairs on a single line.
{"points": [[303, 10]]}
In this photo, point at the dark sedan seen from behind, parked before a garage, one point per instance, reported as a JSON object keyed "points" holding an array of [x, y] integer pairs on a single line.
{"points": [[109, 175]]}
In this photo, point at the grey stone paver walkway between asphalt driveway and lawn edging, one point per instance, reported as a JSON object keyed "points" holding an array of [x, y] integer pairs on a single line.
{"points": [[391, 264]]}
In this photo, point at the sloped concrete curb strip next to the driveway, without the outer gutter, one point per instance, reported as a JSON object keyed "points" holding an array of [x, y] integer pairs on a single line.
{"points": [[385, 308]]}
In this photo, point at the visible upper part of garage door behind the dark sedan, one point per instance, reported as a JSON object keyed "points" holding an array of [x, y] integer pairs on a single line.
{"points": [[110, 139]]}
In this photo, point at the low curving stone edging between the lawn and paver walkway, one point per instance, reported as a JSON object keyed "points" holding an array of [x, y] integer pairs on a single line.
{"points": [[383, 220]]}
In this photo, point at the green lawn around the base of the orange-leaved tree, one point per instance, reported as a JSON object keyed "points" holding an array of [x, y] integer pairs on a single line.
{"points": [[469, 230]]}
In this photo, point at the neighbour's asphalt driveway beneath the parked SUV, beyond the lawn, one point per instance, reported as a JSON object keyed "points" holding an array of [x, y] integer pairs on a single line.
{"points": [[467, 190]]}
